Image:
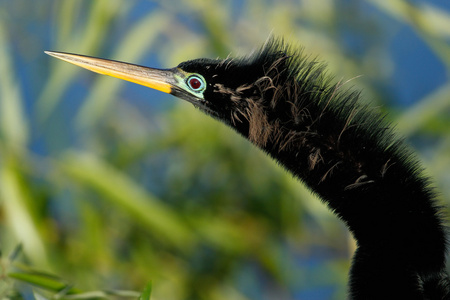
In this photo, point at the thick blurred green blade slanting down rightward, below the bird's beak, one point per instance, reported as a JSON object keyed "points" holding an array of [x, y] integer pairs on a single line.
{"points": [[120, 190]]}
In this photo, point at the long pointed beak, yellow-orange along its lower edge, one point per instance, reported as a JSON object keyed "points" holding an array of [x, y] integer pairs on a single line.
{"points": [[161, 80]]}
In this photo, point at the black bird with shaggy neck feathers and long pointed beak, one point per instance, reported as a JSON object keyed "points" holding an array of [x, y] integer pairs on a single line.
{"points": [[286, 105]]}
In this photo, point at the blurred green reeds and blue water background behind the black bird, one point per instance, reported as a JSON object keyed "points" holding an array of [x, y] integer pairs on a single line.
{"points": [[109, 185]]}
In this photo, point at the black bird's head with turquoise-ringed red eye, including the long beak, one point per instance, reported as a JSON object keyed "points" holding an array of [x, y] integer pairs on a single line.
{"points": [[236, 91]]}
